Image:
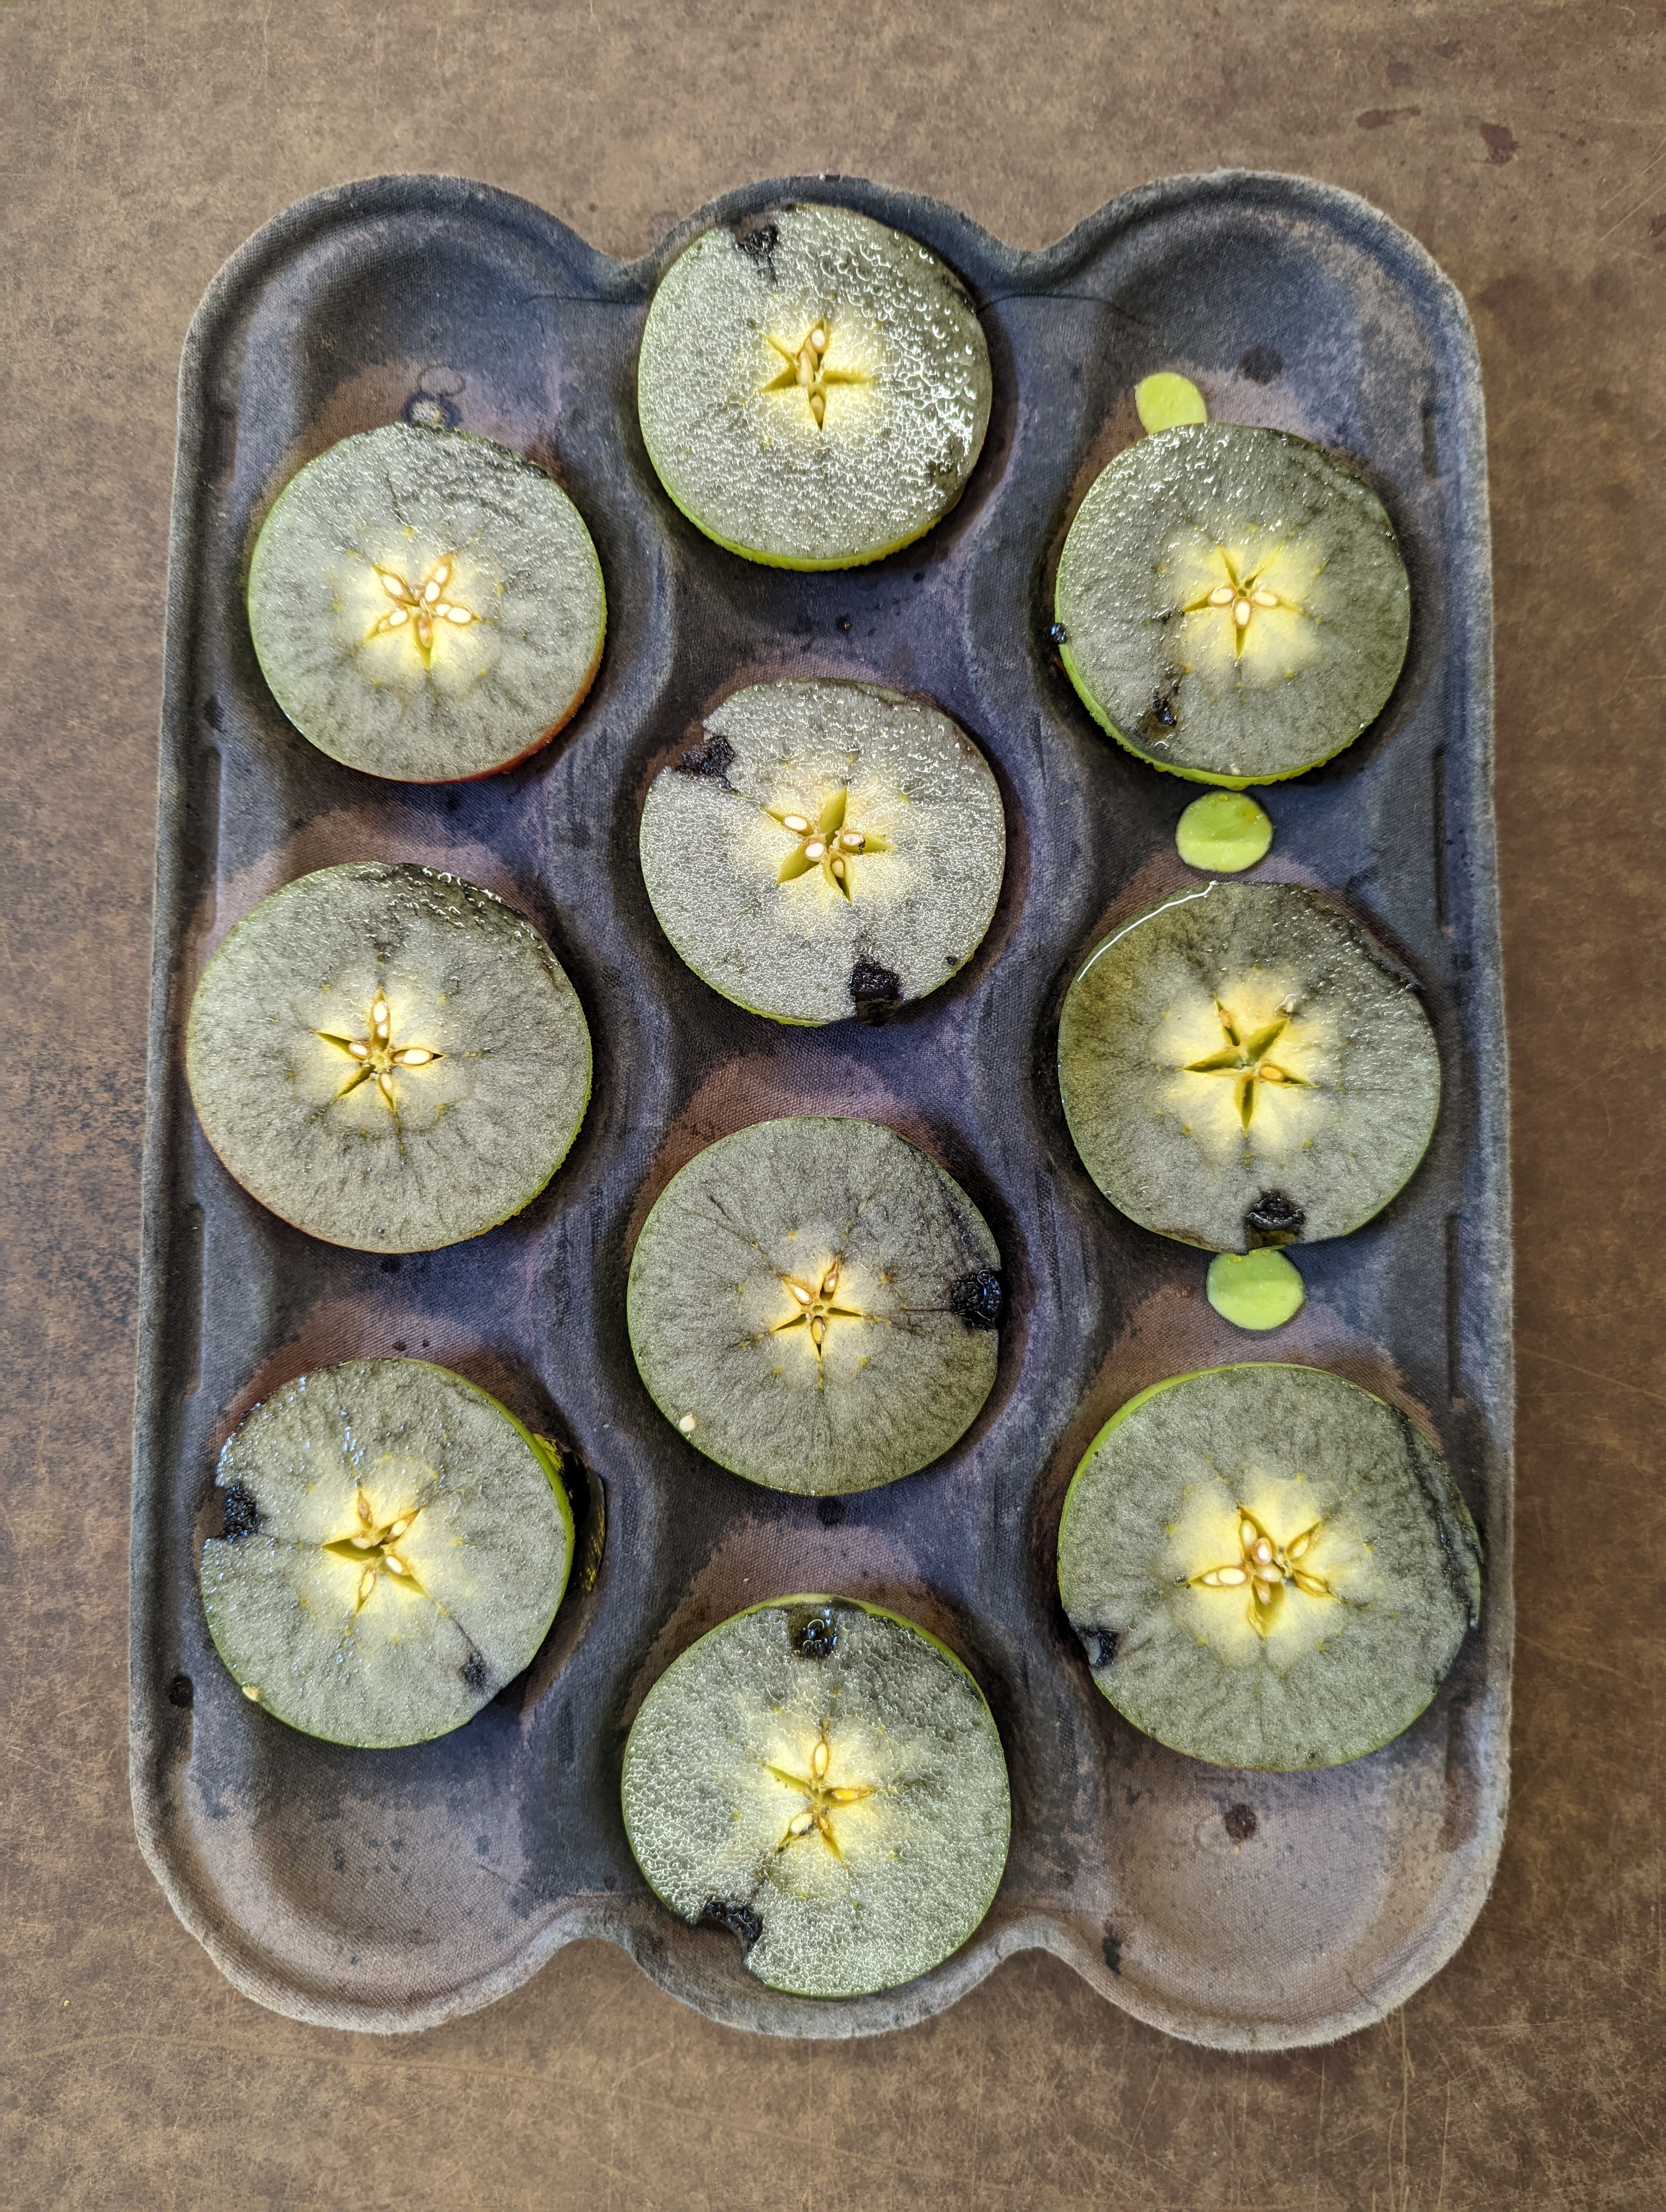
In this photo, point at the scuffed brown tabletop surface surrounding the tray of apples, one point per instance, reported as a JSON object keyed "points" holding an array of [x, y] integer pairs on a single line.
{"points": [[1526, 145]]}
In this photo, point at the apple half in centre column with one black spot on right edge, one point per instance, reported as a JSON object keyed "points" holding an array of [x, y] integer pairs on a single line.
{"points": [[815, 1306]]}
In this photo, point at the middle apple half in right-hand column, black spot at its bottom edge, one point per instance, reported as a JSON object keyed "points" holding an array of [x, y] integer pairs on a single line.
{"points": [[1247, 1067]]}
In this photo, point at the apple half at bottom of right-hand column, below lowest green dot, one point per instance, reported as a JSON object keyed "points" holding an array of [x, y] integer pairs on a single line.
{"points": [[1267, 1567]]}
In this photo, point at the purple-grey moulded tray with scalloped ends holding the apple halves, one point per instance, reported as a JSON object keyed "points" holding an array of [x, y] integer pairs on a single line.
{"points": [[402, 1890]]}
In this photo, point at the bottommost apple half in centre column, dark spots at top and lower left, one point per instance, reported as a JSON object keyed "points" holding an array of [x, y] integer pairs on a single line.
{"points": [[824, 1780]]}
